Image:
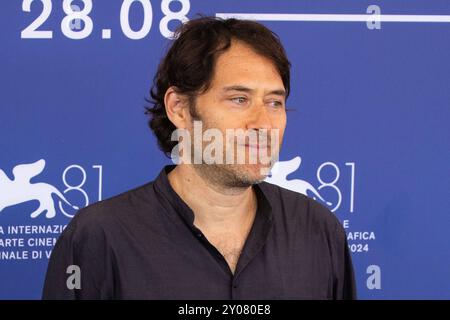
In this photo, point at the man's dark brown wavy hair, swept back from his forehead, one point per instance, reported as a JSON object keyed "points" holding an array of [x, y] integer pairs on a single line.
{"points": [[189, 64]]}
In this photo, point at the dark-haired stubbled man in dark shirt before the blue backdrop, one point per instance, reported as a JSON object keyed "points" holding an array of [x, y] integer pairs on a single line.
{"points": [[209, 229]]}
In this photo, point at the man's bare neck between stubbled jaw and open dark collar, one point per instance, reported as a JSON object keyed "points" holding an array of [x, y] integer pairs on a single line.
{"points": [[215, 207]]}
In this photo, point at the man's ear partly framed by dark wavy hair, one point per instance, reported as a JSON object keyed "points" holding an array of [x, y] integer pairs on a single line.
{"points": [[177, 108]]}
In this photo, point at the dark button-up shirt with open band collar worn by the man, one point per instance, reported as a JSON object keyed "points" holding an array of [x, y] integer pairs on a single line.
{"points": [[143, 244]]}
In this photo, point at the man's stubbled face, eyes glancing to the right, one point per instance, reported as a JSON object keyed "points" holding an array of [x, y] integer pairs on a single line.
{"points": [[246, 93]]}
